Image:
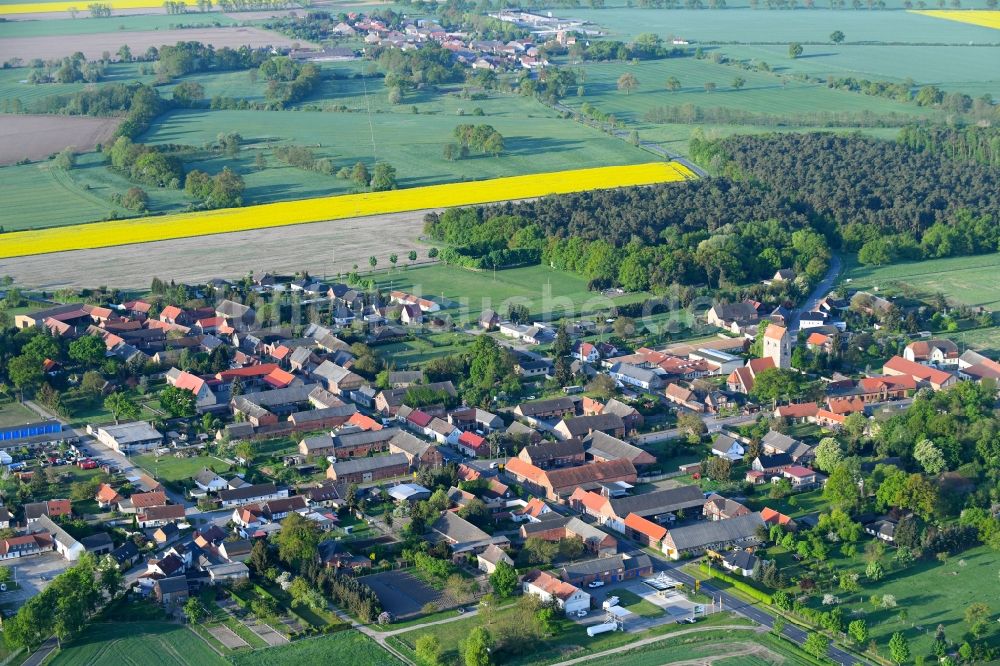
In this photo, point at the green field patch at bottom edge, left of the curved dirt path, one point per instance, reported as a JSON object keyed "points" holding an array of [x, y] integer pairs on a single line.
{"points": [[346, 647]]}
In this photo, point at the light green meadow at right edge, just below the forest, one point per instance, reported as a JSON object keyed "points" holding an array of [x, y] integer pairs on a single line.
{"points": [[968, 280]]}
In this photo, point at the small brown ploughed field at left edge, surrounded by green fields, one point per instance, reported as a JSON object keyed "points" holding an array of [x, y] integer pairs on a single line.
{"points": [[37, 137]]}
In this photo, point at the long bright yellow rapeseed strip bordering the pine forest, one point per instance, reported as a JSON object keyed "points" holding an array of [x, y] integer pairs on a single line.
{"points": [[185, 225]]}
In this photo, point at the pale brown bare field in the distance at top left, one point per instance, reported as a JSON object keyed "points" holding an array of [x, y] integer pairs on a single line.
{"points": [[94, 45]]}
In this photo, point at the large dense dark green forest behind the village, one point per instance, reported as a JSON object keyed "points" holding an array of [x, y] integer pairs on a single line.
{"points": [[783, 201]]}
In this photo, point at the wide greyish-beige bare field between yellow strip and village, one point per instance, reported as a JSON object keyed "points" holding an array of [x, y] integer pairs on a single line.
{"points": [[322, 248]]}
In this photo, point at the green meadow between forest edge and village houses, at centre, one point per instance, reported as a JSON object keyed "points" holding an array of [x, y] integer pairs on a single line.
{"points": [[543, 290]]}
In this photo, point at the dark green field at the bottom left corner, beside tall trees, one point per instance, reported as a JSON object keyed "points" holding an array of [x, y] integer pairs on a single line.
{"points": [[134, 643]]}
